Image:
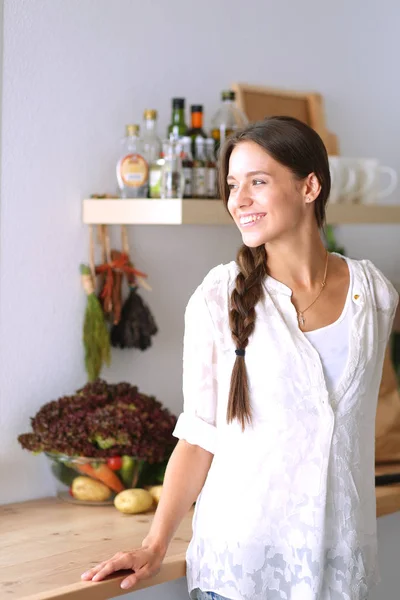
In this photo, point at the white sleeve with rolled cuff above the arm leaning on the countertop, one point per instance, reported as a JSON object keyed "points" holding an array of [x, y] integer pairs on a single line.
{"points": [[197, 423]]}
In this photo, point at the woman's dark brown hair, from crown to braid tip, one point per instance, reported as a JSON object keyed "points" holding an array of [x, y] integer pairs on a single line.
{"points": [[298, 147]]}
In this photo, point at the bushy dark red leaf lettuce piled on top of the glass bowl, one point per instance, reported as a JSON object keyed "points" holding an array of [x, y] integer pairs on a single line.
{"points": [[102, 420]]}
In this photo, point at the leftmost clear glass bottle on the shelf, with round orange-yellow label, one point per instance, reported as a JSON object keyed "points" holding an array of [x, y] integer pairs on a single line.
{"points": [[132, 167]]}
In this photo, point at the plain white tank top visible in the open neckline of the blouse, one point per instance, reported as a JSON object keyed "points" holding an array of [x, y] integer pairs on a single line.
{"points": [[332, 344]]}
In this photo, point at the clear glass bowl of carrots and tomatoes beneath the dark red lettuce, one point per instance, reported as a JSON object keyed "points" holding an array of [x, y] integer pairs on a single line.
{"points": [[116, 473]]}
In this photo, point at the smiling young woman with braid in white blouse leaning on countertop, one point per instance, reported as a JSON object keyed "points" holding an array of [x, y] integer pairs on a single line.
{"points": [[283, 355]]}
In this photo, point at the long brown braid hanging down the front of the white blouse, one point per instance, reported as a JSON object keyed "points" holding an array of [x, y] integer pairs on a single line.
{"points": [[252, 263]]}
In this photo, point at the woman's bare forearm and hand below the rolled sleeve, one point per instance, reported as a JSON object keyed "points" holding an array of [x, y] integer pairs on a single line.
{"points": [[185, 475]]}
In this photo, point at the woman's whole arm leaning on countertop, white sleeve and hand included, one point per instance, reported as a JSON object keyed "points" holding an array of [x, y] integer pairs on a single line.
{"points": [[190, 462]]}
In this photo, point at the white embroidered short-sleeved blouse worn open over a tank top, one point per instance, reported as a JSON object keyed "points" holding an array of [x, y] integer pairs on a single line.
{"points": [[288, 509]]}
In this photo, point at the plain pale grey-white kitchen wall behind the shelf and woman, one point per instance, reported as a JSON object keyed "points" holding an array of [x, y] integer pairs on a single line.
{"points": [[74, 73]]}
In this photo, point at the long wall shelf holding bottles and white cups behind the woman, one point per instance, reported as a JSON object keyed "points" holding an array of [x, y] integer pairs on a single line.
{"points": [[212, 212]]}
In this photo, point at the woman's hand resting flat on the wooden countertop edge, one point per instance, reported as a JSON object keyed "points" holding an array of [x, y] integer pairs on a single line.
{"points": [[145, 562]]}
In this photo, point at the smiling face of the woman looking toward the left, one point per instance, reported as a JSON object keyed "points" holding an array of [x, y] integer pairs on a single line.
{"points": [[265, 200]]}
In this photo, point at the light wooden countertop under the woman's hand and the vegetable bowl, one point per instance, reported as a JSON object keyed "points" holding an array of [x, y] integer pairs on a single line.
{"points": [[46, 544]]}
